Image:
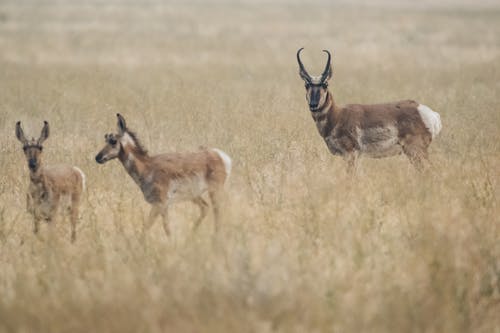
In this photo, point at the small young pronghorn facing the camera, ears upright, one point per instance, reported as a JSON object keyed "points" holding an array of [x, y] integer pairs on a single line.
{"points": [[49, 185]]}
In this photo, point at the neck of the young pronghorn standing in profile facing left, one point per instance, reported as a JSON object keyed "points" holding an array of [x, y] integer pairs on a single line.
{"points": [[134, 159]]}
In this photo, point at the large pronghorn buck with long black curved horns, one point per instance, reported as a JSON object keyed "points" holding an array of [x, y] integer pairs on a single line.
{"points": [[377, 130]]}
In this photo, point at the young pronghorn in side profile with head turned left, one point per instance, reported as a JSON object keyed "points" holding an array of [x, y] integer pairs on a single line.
{"points": [[168, 178]]}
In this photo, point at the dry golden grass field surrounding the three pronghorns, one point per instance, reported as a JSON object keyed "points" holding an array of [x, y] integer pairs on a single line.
{"points": [[303, 247]]}
